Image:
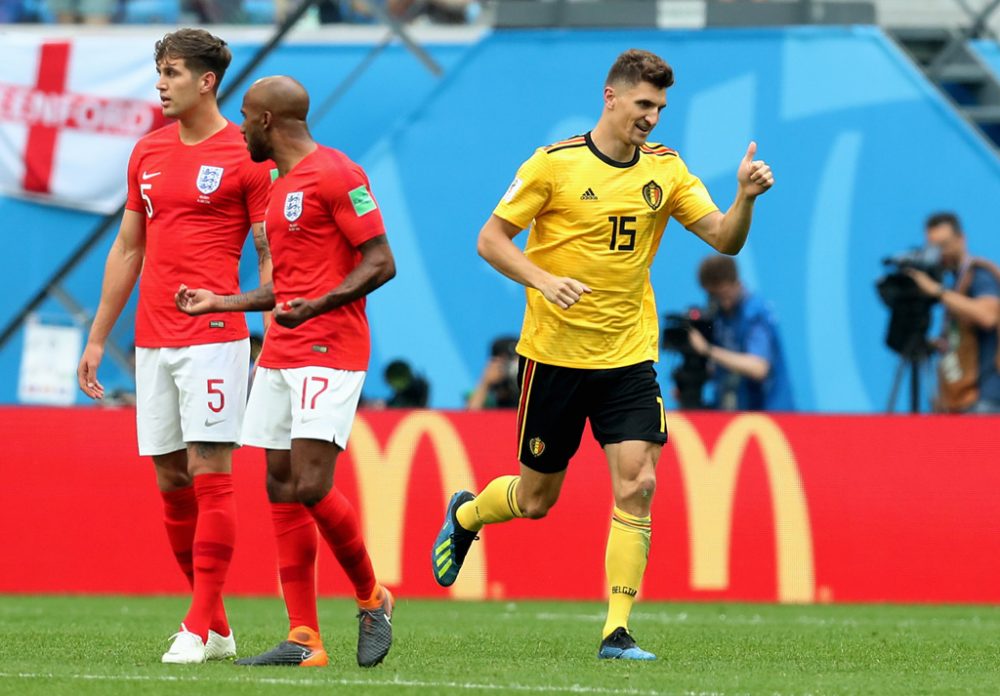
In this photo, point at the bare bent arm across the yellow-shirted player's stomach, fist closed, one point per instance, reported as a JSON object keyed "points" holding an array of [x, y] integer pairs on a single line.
{"points": [[496, 245]]}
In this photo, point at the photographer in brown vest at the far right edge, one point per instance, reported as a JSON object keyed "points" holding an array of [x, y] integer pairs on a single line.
{"points": [[968, 379]]}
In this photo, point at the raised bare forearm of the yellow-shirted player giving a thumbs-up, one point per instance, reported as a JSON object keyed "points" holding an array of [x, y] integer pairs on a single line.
{"points": [[728, 233]]}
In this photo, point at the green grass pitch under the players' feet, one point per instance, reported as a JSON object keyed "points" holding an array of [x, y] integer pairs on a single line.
{"points": [[112, 645]]}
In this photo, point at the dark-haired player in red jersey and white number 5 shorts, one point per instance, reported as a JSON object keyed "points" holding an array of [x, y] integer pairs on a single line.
{"points": [[193, 193]]}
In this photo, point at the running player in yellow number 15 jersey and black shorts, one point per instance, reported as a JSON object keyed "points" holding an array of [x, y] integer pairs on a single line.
{"points": [[597, 205]]}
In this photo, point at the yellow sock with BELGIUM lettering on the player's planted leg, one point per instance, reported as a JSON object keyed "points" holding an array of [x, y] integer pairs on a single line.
{"points": [[625, 562]]}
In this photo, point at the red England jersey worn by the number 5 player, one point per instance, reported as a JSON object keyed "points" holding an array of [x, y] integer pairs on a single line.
{"points": [[199, 201]]}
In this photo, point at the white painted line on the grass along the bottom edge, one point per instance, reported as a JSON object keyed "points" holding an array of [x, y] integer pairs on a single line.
{"points": [[395, 683]]}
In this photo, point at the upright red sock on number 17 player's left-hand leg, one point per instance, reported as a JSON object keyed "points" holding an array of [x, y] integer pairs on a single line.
{"points": [[295, 533]]}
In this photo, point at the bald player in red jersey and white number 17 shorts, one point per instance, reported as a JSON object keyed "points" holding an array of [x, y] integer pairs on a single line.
{"points": [[329, 247]]}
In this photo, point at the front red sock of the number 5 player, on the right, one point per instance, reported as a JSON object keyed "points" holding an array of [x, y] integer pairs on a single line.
{"points": [[212, 549]]}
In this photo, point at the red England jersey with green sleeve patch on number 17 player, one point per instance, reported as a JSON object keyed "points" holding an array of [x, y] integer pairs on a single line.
{"points": [[318, 214]]}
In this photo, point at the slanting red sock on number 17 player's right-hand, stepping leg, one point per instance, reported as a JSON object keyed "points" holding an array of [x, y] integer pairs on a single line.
{"points": [[338, 523]]}
